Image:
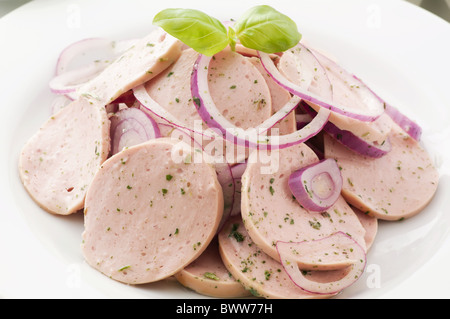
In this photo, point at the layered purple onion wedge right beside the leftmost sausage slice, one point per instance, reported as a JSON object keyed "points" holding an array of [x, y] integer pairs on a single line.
{"points": [[131, 126]]}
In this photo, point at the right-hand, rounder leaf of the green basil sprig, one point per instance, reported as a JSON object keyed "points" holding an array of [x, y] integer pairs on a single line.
{"points": [[264, 29]]}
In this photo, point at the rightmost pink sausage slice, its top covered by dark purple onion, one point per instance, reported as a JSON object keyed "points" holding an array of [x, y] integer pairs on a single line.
{"points": [[396, 186]]}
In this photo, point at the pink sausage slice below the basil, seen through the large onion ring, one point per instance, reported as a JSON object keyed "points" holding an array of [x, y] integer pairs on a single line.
{"points": [[237, 88]]}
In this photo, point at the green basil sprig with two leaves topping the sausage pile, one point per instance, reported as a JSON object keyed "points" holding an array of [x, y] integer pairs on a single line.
{"points": [[261, 28]]}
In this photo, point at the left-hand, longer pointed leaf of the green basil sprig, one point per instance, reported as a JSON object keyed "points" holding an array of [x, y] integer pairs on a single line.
{"points": [[194, 28]]}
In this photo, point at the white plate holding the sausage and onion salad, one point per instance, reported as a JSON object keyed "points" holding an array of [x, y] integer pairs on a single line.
{"points": [[400, 50]]}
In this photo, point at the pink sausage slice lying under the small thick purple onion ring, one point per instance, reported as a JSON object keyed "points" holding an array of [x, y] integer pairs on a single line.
{"points": [[271, 213]]}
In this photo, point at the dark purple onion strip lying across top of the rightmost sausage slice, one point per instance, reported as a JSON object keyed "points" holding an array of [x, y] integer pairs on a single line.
{"points": [[353, 142]]}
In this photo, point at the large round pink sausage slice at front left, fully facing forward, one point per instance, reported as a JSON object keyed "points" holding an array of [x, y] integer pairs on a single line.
{"points": [[148, 216]]}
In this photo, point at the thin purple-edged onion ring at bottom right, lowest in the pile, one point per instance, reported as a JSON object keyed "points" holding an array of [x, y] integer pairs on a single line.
{"points": [[337, 251]]}
